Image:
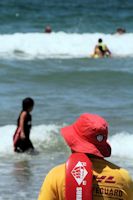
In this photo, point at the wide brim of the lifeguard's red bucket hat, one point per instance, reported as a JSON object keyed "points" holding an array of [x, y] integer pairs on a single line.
{"points": [[79, 145]]}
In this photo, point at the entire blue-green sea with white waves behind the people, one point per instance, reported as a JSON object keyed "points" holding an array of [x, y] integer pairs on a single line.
{"points": [[57, 71]]}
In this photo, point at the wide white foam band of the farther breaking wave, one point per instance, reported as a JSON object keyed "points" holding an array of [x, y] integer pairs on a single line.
{"points": [[62, 45]]}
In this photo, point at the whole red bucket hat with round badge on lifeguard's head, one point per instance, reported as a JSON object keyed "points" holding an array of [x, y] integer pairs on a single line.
{"points": [[88, 134]]}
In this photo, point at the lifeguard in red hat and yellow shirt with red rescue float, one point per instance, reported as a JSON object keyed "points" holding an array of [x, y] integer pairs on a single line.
{"points": [[86, 169]]}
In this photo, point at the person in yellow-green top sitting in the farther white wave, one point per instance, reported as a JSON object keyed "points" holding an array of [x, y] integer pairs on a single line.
{"points": [[101, 50]]}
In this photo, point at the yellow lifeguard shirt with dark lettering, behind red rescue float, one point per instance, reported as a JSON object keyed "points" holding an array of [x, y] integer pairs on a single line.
{"points": [[110, 182]]}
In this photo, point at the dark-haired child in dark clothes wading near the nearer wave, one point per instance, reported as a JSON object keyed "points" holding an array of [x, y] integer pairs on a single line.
{"points": [[21, 138]]}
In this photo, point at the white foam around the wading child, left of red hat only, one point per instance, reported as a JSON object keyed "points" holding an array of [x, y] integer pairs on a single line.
{"points": [[39, 135]]}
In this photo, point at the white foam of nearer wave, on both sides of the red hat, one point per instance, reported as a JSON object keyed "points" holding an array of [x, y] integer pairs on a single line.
{"points": [[121, 143]]}
